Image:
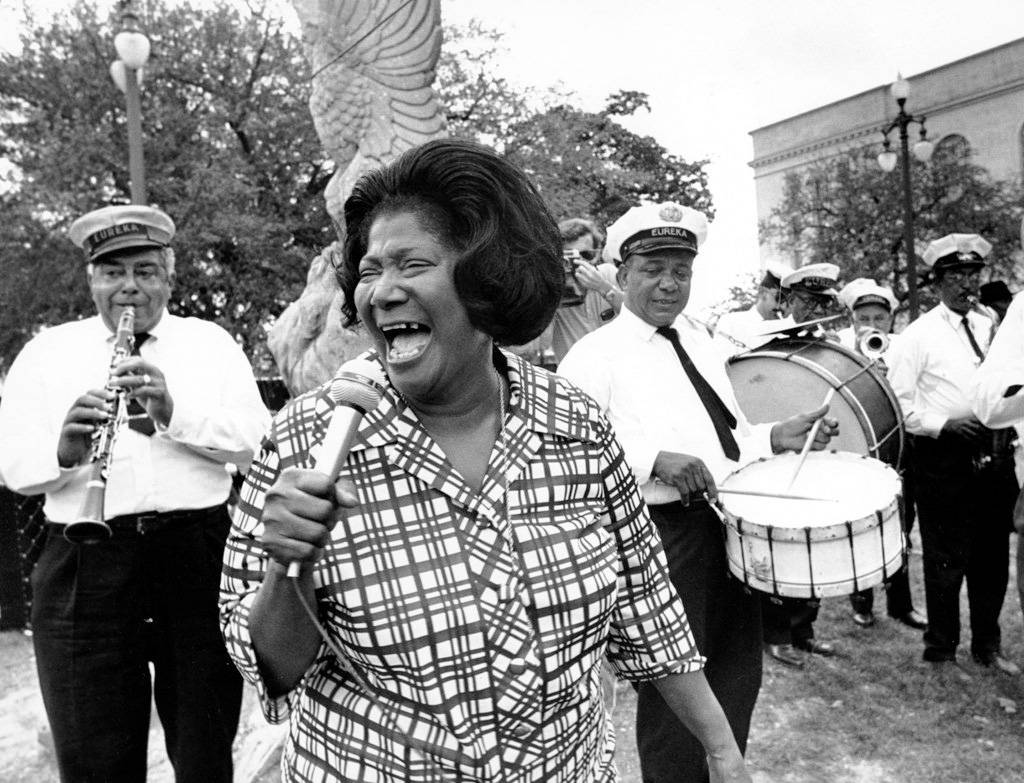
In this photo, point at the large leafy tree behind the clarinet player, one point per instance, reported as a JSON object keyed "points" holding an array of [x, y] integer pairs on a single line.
{"points": [[230, 150]]}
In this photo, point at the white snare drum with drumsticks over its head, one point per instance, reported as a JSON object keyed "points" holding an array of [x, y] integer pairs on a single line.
{"points": [[814, 549]]}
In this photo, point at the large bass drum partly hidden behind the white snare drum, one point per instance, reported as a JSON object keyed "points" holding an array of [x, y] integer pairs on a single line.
{"points": [[794, 375]]}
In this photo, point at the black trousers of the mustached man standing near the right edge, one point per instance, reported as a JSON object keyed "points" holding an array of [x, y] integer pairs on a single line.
{"points": [[966, 518]]}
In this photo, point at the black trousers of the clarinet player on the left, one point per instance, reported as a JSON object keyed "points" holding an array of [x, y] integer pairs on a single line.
{"points": [[101, 615]]}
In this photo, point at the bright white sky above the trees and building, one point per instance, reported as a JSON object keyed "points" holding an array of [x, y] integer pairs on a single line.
{"points": [[715, 71]]}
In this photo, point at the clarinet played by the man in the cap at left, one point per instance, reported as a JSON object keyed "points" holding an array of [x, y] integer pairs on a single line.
{"points": [[91, 528]]}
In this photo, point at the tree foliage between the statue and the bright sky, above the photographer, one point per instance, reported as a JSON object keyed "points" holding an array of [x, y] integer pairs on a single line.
{"points": [[586, 164]]}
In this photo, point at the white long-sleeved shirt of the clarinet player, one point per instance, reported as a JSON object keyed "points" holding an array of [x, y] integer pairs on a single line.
{"points": [[219, 419]]}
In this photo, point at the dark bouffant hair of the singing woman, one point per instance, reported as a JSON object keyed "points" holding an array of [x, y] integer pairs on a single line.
{"points": [[509, 272]]}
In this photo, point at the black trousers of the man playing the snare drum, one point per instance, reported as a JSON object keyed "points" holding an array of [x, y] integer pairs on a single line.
{"points": [[726, 620]]}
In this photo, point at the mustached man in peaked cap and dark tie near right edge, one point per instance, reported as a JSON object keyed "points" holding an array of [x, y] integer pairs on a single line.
{"points": [[965, 471]]}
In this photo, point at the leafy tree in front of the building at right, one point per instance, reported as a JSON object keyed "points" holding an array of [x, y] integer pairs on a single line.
{"points": [[847, 211]]}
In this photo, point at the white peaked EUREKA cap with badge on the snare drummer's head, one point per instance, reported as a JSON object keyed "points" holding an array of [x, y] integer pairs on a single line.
{"points": [[657, 227]]}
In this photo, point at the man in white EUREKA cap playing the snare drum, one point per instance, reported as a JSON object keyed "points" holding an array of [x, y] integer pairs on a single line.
{"points": [[662, 382]]}
